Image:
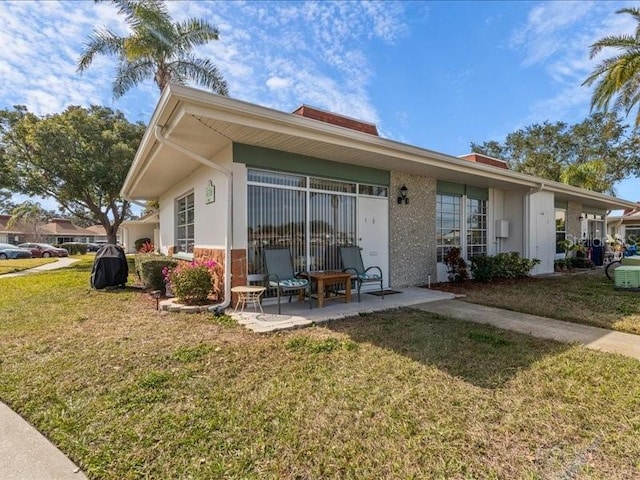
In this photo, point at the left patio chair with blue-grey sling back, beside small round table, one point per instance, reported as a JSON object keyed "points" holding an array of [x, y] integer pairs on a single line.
{"points": [[281, 276]]}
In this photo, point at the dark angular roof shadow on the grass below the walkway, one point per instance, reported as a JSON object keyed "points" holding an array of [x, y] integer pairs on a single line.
{"points": [[479, 354]]}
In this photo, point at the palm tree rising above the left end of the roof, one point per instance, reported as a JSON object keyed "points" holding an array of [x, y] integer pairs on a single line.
{"points": [[157, 48]]}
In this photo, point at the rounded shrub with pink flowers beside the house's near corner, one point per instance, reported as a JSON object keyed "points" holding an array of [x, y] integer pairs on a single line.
{"points": [[191, 282]]}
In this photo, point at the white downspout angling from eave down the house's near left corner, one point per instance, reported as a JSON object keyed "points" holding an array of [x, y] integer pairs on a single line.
{"points": [[227, 239]]}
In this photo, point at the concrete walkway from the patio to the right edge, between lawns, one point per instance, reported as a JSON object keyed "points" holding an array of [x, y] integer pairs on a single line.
{"points": [[591, 337]]}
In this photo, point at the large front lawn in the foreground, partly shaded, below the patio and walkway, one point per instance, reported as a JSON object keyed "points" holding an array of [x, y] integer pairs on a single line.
{"points": [[129, 392]]}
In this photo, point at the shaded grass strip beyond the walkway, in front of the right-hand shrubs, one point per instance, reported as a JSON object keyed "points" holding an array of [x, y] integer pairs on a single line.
{"points": [[587, 297]]}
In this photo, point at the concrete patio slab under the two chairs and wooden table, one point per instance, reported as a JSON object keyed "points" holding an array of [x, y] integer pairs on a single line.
{"points": [[297, 314]]}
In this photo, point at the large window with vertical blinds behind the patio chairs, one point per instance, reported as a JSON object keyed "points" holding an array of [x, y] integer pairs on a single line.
{"points": [[311, 216]]}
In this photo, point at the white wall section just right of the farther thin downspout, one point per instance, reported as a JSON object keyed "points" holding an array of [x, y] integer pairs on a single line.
{"points": [[541, 242]]}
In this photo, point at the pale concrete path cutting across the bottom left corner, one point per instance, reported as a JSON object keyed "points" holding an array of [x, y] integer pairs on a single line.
{"points": [[26, 454]]}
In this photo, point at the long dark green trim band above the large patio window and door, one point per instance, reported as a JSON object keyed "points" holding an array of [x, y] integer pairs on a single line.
{"points": [[269, 159]]}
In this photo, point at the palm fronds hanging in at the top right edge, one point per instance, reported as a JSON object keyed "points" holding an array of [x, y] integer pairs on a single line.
{"points": [[619, 76]]}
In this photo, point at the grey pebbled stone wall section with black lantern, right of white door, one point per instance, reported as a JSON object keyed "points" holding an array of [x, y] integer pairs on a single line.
{"points": [[412, 231]]}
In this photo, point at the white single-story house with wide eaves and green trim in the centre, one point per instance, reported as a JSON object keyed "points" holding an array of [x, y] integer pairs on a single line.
{"points": [[232, 177]]}
